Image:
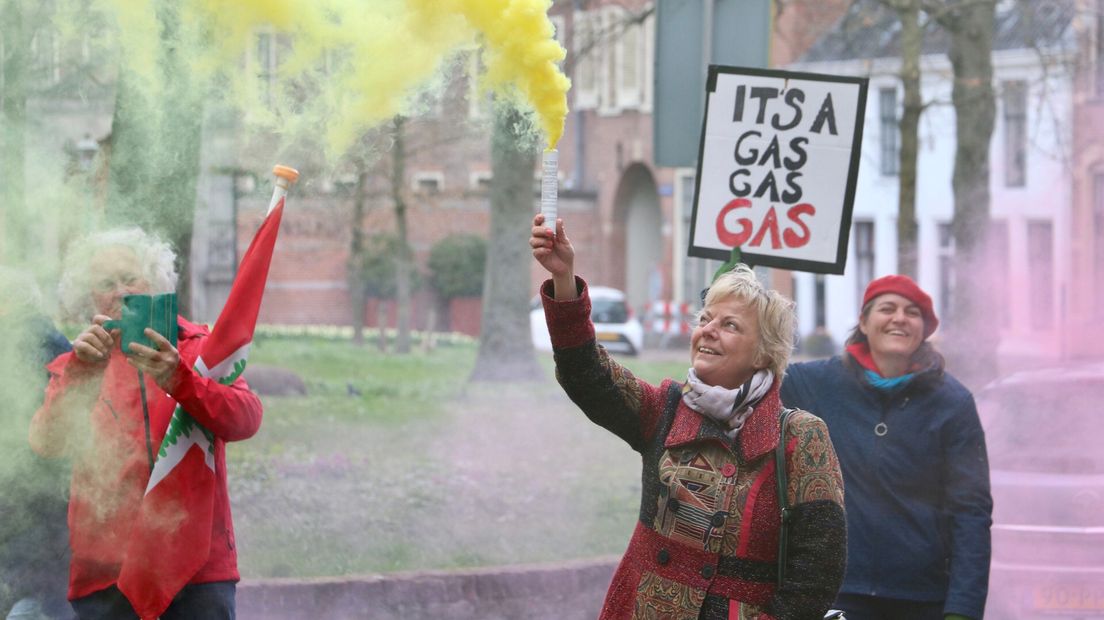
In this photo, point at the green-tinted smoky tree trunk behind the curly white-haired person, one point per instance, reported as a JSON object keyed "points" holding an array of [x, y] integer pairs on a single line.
{"points": [[156, 152]]}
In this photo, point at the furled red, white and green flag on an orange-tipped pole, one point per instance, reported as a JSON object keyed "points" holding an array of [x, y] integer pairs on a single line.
{"points": [[168, 547]]}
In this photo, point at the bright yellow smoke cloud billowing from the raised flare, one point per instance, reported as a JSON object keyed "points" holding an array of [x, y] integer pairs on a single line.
{"points": [[362, 62]]}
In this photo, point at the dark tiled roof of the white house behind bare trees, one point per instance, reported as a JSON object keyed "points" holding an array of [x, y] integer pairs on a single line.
{"points": [[872, 30]]}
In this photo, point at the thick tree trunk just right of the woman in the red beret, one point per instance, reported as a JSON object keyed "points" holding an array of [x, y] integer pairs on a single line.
{"points": [[972, 336]]}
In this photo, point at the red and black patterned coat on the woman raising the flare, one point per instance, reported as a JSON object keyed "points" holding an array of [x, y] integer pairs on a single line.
{"points": [[707, 542]]}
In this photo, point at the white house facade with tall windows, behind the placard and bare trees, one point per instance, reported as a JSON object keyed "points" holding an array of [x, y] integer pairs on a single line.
{"points": [[1031, 188]]}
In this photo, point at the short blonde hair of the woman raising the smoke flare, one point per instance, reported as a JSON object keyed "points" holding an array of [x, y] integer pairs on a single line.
{"points": [[776, 314]]}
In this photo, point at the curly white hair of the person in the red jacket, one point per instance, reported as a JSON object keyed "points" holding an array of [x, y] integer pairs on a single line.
{"points": [[155, 256]]}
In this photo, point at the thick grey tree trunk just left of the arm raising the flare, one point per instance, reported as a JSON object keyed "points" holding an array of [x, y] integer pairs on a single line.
{"points": [[506, 348]]}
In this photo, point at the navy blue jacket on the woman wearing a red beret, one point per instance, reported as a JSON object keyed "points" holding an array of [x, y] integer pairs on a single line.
{"points": [[918, 498]]}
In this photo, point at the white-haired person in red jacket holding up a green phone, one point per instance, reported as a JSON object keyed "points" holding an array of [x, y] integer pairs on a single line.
{"points": [[94, 414]]}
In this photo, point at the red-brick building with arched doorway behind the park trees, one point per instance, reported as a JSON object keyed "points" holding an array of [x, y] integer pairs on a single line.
{"points": [[627, 216]]}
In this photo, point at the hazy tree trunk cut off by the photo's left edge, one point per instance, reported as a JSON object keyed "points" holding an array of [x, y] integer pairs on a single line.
{"points": [[14, 134]]}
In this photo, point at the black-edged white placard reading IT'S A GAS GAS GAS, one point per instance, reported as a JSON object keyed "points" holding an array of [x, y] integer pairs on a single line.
{"points": [[778, 168]]}
